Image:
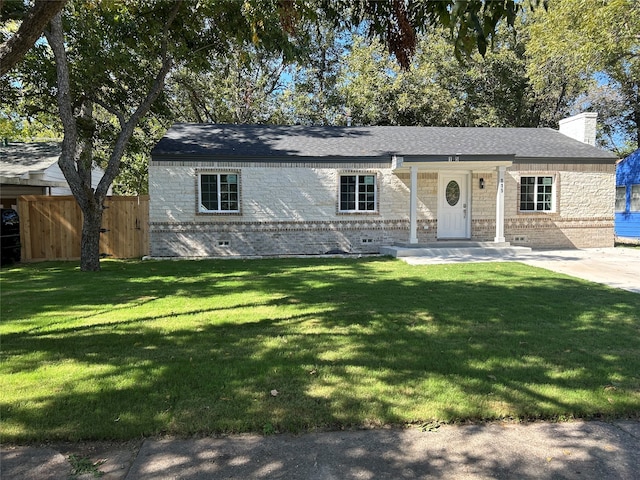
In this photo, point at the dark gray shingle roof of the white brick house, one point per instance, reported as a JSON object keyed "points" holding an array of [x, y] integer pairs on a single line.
{"points": [[293, 142]]}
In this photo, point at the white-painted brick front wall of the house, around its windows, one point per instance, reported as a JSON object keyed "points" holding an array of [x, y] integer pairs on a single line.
{"points": [[289, 209]]}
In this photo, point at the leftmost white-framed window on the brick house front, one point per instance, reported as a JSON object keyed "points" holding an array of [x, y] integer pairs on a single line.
{"points": [[218, 192]]}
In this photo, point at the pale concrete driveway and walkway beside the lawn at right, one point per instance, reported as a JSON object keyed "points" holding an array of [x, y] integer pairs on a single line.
{"points": [[616, 267]]}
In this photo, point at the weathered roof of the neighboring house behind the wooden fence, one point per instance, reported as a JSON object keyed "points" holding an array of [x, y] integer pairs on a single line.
{"points": [[28, 163]]}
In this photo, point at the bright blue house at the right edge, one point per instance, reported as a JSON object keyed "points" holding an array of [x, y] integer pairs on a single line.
{"points": [[627, 212]]}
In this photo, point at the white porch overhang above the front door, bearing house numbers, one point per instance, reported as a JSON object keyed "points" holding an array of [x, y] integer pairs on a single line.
{"points": [[453, 162]]}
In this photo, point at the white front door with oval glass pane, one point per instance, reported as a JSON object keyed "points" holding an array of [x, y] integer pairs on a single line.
{"points": [[453, 203]]}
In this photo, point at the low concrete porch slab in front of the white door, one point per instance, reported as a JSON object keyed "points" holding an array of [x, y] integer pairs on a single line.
{"points": [[454, 249]]}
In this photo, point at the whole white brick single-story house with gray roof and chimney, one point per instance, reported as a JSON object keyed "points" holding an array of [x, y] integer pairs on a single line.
{"points": [[224, 190]]}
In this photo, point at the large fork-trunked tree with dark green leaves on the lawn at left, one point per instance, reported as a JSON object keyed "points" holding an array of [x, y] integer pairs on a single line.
{"points": [[103, 98]]}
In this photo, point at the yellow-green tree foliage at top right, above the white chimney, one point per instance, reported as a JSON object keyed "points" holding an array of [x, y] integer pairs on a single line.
{"points": [[585, 47]]}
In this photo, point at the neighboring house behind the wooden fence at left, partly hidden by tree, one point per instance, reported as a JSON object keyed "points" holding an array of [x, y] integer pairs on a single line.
{"points": [[32, 169]]}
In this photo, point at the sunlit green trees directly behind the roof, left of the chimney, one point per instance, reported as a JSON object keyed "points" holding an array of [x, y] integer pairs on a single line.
{"points": [[439, 90]]}
